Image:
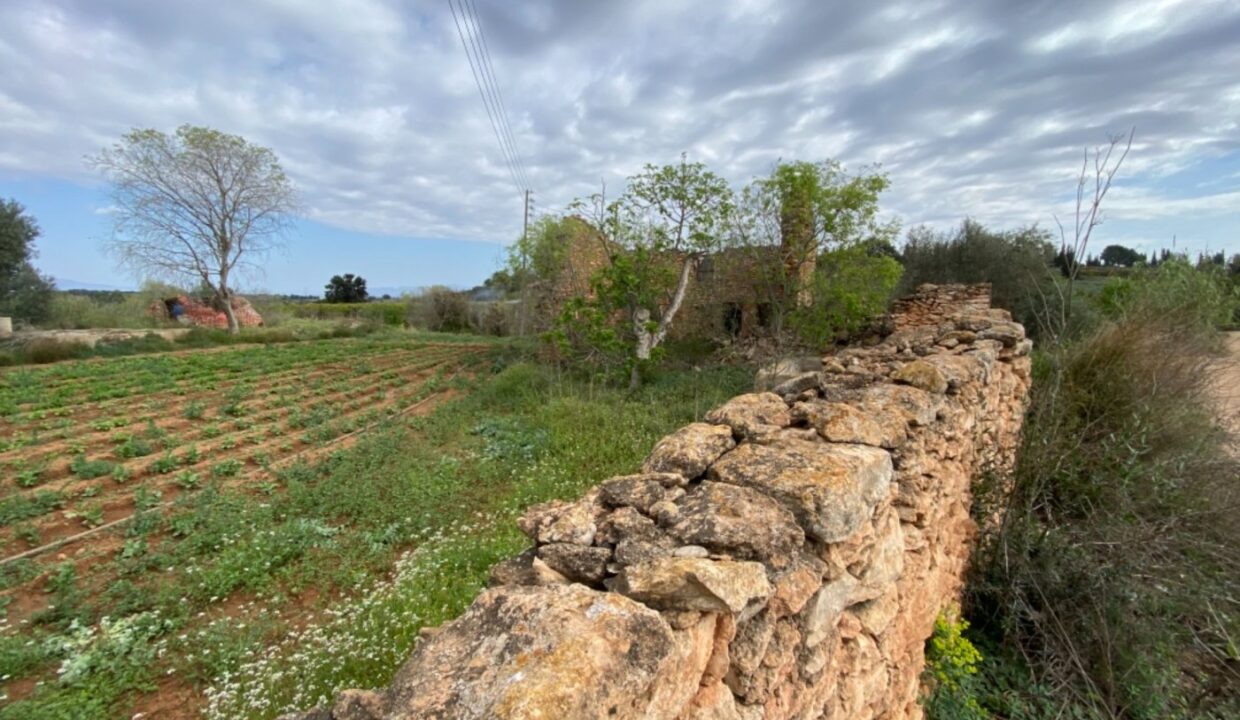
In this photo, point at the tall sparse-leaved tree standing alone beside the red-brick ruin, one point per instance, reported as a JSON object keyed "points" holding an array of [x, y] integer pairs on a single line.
{"points": [[200, 206]]}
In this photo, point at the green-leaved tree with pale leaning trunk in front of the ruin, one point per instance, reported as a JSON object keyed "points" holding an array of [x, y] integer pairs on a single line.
{"points": [[657, 235]]}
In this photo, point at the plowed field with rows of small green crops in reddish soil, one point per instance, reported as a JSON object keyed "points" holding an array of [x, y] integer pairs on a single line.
{"points": [[86, 446]]}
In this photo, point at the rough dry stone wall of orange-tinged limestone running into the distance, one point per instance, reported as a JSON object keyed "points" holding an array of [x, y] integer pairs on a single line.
{"points": [[784, 558]]}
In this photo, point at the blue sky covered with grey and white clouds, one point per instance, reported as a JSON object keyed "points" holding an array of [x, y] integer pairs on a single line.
{"points": [[975, 108]]}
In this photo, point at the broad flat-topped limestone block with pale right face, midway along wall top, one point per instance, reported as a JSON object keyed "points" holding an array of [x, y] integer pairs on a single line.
{"points": [[830, 489]]}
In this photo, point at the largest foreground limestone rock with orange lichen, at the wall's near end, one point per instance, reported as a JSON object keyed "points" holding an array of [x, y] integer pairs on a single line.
{"points": [[538, 652]]}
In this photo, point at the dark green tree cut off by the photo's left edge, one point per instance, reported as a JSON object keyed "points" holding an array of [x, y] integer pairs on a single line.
{"points": [[25, 294]]}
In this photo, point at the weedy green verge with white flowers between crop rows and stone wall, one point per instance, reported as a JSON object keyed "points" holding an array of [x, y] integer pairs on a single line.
{"points": [[218, 592]]}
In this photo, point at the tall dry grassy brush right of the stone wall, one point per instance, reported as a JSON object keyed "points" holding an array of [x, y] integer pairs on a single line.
{"points": [[1114, 568]]}
